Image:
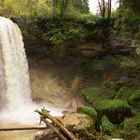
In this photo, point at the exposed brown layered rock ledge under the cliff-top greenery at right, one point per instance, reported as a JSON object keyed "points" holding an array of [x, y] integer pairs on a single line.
{"points": [[118, 45]]}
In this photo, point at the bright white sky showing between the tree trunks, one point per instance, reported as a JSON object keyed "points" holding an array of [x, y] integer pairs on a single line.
{"points": [[93, 5]]}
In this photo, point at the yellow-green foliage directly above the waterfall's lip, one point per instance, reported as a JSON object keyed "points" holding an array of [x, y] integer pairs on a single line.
{"points": [[16, 8]]}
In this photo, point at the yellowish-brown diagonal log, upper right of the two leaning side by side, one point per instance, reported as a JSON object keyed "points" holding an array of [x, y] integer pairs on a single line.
{"points": [[46, 114]]}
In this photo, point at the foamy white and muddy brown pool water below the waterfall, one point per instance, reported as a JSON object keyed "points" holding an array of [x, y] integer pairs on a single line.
{"points": [[25, 120]]}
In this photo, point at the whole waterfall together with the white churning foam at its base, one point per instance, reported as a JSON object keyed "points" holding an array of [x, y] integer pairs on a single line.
{"points": [[15, 94]]}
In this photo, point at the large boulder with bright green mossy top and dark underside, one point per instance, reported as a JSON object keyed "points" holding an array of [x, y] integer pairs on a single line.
{"points": [[115, 110]]}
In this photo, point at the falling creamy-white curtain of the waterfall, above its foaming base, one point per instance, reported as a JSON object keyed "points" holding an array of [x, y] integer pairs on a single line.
{"points": [[14, 77]]}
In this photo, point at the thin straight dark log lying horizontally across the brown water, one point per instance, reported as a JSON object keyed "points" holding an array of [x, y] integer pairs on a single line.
{"points": [[24, 128]]}
